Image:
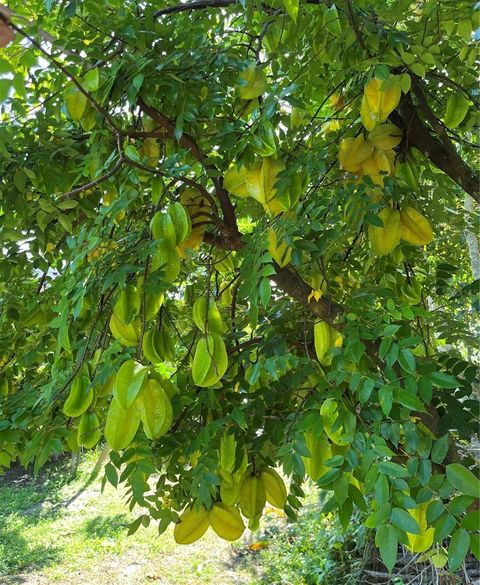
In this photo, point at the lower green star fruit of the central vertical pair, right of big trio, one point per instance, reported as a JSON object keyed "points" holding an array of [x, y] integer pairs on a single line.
{"points": [[210, 361]]}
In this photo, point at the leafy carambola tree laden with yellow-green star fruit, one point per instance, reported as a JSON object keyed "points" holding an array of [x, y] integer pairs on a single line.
{"points": [[233, 241]]}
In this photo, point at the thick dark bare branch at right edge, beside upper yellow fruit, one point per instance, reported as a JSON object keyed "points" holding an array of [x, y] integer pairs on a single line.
{"points": [[446, 158]]}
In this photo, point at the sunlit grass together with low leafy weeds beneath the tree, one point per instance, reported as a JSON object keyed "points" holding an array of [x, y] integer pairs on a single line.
{"points": [[52, 532]]}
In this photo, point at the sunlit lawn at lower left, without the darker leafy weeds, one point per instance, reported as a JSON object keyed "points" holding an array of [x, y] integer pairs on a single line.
{"points": [[44, 538]]}
